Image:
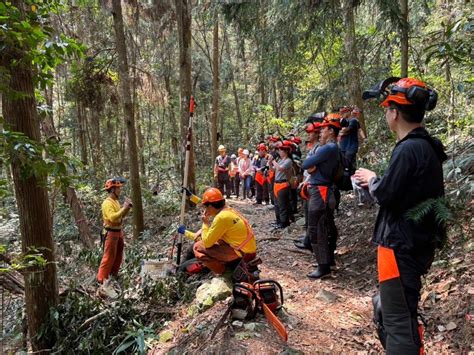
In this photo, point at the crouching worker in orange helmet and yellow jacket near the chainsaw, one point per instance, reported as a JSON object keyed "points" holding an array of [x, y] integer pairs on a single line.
{"points": [[226, 240]]}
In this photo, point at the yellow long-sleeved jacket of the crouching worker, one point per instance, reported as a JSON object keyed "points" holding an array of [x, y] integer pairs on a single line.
{"points": [[229, 227]]}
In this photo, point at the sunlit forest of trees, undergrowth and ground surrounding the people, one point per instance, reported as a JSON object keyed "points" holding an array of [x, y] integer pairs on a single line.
{"points": [[94, 90]]}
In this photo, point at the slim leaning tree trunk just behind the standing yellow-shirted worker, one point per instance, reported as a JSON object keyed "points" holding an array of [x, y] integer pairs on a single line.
{"points": [[138, 225]]}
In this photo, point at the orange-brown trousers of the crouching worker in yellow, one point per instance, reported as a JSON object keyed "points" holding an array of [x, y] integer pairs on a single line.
{"points": [[216, 257]]}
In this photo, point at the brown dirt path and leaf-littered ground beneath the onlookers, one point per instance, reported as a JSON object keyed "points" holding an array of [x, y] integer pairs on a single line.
{"points": [[333, 315]]}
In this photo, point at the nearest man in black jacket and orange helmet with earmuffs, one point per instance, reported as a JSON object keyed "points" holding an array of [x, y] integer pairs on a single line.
{"points": [[405, 248]]}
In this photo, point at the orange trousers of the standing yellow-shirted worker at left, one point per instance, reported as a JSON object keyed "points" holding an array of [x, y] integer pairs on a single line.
{"points": [[113, 255]]}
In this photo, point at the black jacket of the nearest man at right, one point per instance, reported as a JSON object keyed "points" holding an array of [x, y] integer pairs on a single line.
{"points": [[414, 175]]}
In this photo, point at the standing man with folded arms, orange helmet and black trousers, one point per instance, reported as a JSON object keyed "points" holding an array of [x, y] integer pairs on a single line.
{"points": [[322, 166]]}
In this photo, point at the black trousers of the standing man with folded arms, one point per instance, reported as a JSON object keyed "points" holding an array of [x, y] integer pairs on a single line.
{"points": [[321, 206]]}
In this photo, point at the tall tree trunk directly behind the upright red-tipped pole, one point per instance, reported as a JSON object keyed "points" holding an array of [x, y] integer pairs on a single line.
{"points": [[183, 16]]}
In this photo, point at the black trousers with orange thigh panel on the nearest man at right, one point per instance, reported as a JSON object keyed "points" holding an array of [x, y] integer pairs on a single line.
{"points": [[400, 284]]}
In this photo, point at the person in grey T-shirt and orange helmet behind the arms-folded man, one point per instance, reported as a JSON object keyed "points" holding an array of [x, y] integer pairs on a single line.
{"points": [[281, 188]]}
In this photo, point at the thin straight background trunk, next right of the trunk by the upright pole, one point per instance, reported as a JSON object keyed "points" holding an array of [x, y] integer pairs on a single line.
{"points": [[215, 86]]}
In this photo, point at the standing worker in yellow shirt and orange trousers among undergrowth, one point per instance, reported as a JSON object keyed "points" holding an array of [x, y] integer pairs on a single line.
{"points": [[112, 234]]}
